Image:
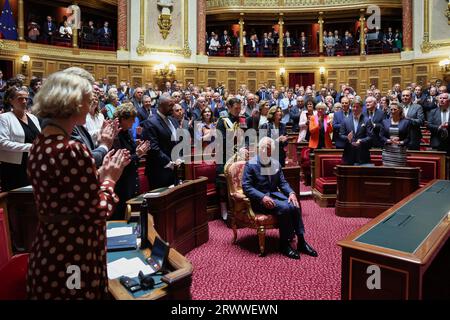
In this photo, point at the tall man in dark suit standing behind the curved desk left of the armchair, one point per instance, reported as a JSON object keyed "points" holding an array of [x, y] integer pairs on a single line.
{"points": [[160, 130]]}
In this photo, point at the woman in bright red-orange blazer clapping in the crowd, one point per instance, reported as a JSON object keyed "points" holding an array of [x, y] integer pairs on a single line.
{"points": [[320, 129]]}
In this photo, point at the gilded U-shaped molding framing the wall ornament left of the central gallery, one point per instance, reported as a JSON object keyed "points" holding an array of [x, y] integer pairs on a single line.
{"points": [[144, 49]]}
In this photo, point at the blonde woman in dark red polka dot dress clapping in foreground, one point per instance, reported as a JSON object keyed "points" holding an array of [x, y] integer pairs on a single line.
{"points": [[73, 199]]}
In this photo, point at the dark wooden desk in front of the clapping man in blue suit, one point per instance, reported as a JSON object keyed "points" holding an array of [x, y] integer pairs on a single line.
{"points": [[369, 191]]}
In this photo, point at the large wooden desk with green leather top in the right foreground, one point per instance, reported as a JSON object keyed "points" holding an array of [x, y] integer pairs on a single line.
{"points": [[409, 243]]}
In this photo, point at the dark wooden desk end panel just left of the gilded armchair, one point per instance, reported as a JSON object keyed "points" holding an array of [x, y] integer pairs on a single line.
{"points": [[180, 214]]}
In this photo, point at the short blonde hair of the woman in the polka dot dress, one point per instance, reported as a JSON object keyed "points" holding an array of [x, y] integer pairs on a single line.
{"points": [[62, 95]]}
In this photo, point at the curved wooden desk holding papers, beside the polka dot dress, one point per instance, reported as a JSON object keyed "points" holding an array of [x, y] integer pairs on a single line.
{"points": [[175, 284]]}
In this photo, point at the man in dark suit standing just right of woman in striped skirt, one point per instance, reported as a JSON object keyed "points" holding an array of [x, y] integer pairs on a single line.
{"points": [[414, 113]]}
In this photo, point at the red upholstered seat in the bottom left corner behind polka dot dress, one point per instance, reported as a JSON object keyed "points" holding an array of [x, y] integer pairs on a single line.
{"points": [[13, 278]]}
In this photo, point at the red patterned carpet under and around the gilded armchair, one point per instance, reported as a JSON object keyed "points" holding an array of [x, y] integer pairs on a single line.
{"points": [[235, 272]]}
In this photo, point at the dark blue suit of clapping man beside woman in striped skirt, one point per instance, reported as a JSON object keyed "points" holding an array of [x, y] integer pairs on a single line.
{"points": [[359, 154]]}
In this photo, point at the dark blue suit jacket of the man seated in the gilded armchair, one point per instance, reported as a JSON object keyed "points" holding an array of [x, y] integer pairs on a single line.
{"points": [[256, 185]]}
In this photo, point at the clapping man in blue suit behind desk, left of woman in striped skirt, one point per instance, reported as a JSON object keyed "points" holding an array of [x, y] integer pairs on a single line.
{"points": [[356, 131]]}
